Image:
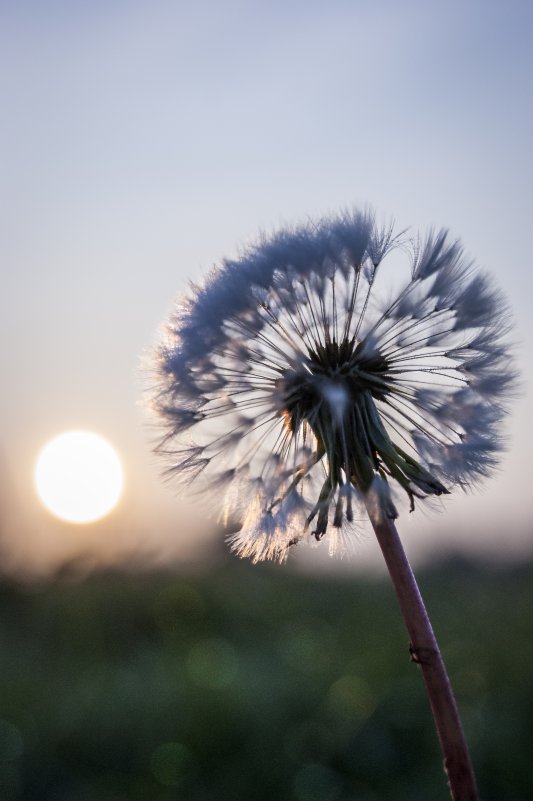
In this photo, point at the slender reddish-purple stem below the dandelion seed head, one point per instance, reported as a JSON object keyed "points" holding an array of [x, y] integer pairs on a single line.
{"points": [[425, 652]]}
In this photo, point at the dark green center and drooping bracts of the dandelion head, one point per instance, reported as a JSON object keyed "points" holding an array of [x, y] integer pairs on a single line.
{"points": [[335, 394]]}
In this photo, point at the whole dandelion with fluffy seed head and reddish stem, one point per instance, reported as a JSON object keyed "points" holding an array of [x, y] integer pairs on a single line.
{"points": [[330, 374]]}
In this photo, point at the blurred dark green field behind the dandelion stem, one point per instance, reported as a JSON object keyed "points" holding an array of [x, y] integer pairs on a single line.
{"points": [[258, 683]]}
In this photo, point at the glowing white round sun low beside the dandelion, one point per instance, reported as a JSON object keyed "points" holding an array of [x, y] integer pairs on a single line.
{"points": [[78, 476]]}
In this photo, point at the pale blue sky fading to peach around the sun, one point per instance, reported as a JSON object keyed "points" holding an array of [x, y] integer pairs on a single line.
{"points": [[142, 142]]}
